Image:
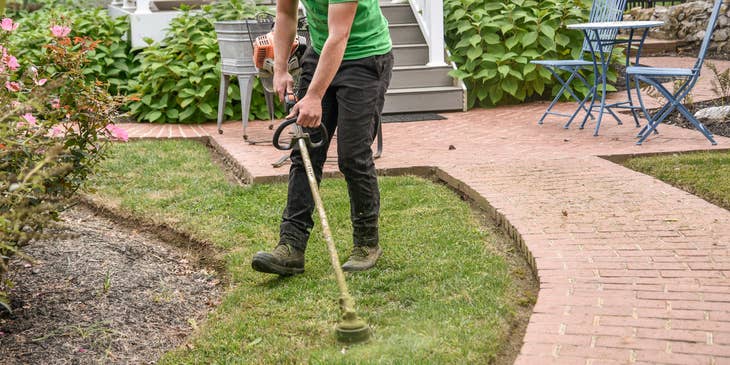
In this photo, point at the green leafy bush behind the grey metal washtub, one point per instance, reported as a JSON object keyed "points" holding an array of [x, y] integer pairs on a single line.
{"points": [[179, 82]]}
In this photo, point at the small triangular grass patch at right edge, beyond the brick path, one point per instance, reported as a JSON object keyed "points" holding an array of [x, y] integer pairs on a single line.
{"points": [[705, 174]]}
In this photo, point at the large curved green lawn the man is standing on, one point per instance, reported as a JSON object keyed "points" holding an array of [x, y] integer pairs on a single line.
{"points": [[440, 294]]}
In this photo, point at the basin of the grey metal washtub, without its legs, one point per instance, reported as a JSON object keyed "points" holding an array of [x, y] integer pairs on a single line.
{"points": [[235, 47]]}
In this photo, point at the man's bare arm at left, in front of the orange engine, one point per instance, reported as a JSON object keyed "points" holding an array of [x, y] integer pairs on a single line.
{"points": [[285, 29]]}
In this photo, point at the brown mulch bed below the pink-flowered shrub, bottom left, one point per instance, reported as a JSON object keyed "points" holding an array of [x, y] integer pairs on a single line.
{"points": [[103, 293]]}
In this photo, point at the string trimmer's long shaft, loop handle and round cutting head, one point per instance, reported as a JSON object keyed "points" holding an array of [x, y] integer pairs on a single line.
{"points": [[350, 329]]}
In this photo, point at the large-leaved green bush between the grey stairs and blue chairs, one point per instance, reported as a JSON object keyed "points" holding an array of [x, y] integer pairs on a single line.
{"points": [[492, 42]]}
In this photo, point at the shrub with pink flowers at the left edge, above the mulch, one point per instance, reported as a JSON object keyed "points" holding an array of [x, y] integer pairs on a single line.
{"points": [[54, 126]]}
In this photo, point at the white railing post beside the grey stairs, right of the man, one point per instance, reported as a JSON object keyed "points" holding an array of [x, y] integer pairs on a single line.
{"points": [[430, 16]]}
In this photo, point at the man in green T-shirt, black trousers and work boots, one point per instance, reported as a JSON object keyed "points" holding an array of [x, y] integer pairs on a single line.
{"points": [[345, 74]]}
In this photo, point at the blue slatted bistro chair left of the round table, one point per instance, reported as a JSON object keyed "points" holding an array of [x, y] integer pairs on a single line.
{"points": [[601, 11]]}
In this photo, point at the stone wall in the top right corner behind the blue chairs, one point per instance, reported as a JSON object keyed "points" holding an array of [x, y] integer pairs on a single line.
{"points": [[687, 22]]}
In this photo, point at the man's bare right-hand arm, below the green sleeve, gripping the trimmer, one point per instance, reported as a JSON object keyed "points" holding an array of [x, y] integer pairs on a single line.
{"points": [[339, 21]]}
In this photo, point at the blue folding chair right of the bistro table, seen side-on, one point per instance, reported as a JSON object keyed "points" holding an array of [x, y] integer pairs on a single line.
{"points": [[655, 76]]}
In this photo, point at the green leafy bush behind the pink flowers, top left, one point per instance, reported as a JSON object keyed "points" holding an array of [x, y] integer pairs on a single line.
{"points": [[111, 61]]}
